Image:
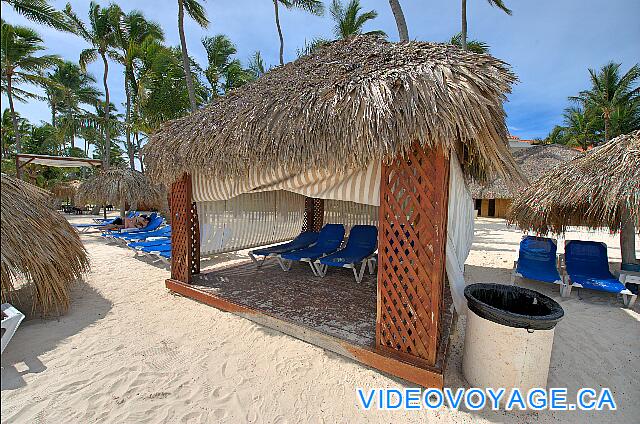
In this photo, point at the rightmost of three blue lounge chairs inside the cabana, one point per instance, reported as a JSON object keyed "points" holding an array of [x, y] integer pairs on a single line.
{"points": [[361, 246]]}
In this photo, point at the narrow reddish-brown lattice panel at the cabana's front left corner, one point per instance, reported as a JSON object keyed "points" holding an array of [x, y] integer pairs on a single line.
{"points": [[181, 230]]}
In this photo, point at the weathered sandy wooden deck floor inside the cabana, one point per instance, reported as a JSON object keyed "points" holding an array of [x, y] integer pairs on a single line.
{"points": [[335, 304]]}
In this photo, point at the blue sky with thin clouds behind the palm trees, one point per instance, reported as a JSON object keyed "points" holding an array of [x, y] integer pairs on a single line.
{"points": [[549, 43]]}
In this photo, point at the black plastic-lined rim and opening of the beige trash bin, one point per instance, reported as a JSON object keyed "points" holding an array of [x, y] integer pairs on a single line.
{"points": [[513, 306]]}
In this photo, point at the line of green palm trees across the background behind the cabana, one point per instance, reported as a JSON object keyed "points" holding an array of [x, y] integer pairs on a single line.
{"points": [[164, 82]]}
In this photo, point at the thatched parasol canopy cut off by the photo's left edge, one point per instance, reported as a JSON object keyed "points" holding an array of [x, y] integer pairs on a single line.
{"points": [[39, 247]]}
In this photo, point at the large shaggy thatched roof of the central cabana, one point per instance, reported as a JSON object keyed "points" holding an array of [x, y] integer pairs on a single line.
{"points": [[350, 102]]}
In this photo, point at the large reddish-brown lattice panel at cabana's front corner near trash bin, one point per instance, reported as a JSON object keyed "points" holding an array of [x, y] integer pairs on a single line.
{"points": [[411, 254]]}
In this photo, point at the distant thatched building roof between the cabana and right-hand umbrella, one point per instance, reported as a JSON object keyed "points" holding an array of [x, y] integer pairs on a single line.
{"points": [[533, 162]]}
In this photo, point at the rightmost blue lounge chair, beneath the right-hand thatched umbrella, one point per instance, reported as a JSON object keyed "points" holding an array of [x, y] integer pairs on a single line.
{"points": [[587, 266]]}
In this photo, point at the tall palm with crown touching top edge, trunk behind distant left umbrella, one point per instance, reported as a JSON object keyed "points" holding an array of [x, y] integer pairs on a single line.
{"points": [[102, 35]]}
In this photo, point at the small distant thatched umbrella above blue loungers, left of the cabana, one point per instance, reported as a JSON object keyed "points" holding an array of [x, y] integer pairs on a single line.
{"points": [[121, 186]]}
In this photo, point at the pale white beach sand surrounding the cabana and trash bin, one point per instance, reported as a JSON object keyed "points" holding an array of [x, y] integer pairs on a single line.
{"points": [[131, 352]]}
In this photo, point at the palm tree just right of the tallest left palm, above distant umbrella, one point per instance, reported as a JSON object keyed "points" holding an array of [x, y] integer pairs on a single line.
{"points": [[133, 30]]}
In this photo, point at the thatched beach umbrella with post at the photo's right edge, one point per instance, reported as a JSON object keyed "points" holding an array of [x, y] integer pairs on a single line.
{"points": [[599, 189]]}
